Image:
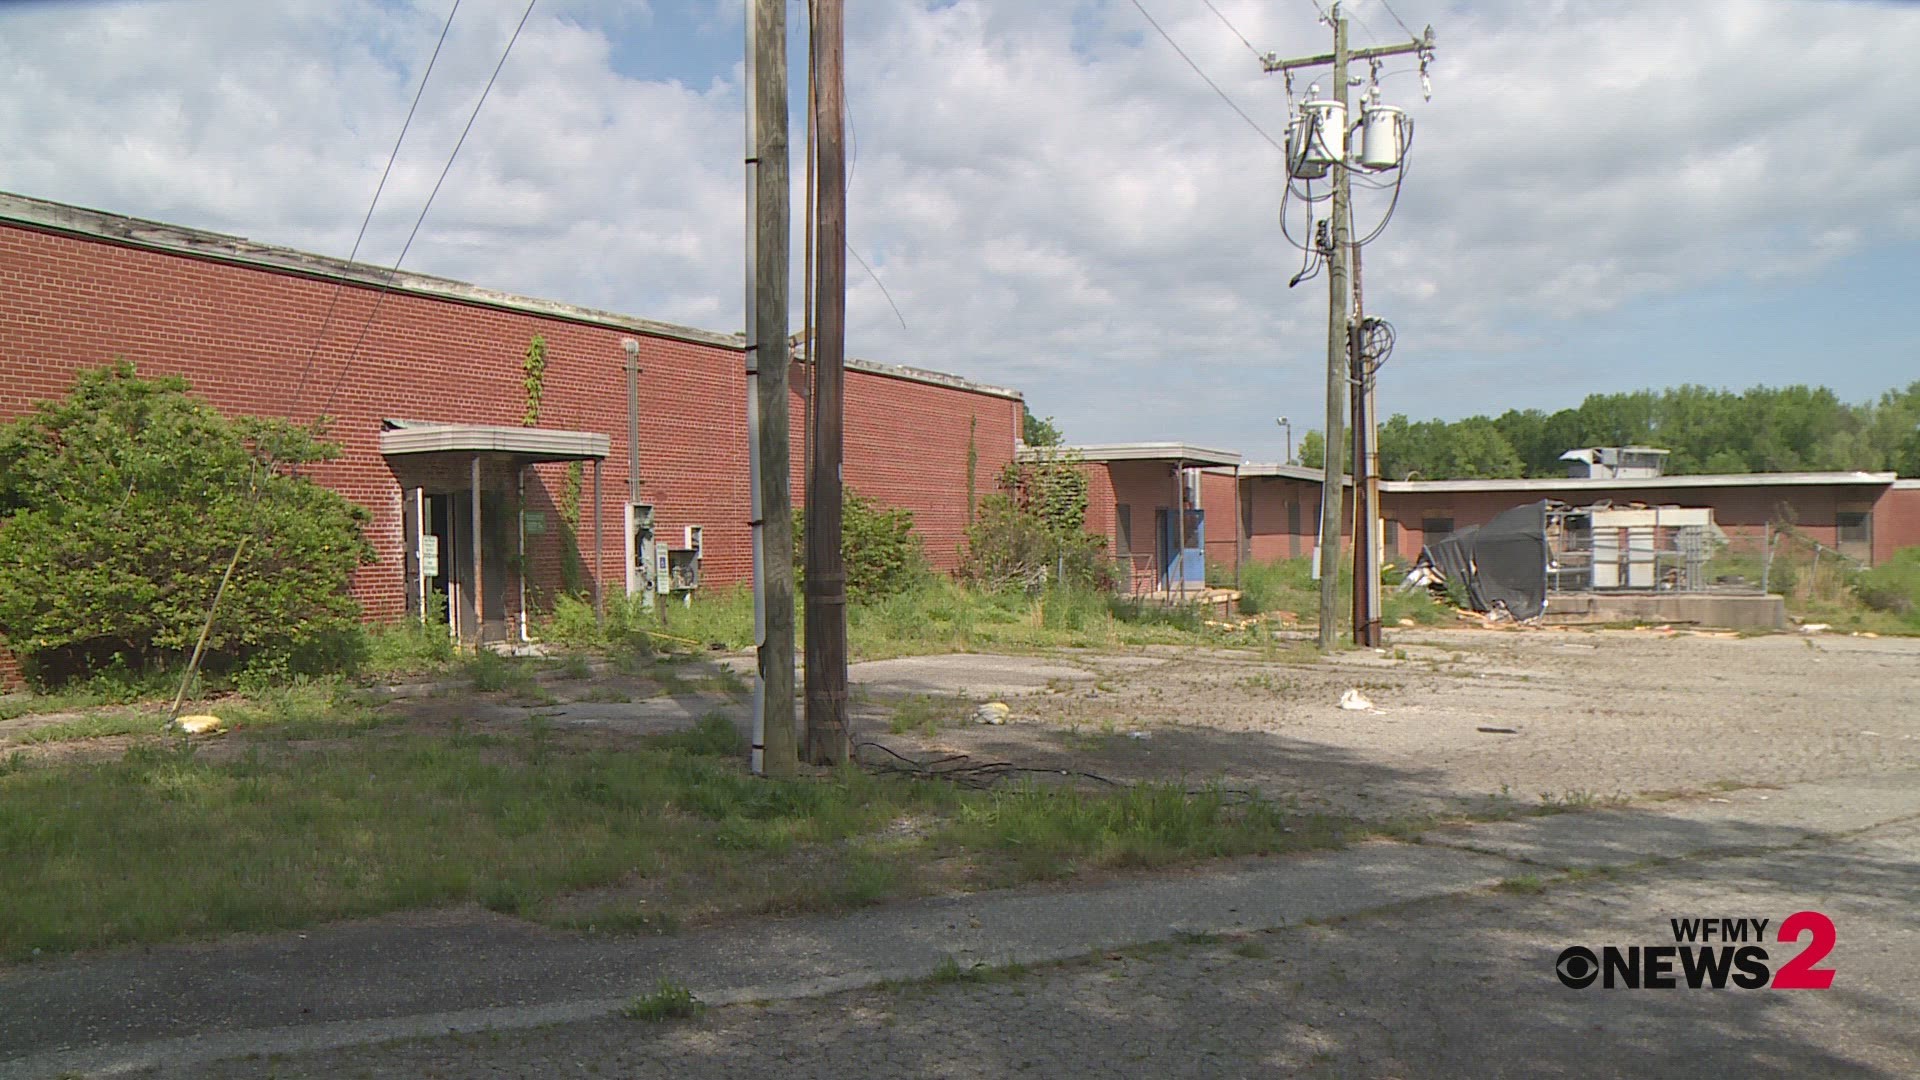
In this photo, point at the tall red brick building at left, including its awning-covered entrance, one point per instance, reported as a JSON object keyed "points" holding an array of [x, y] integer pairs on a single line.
{"points": [[425, 383]]}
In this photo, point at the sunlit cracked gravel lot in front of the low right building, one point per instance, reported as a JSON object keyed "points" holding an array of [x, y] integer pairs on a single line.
{"points": [[1593, 714]]}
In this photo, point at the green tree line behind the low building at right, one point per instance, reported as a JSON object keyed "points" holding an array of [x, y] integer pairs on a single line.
{"points": [[1767, 430]]}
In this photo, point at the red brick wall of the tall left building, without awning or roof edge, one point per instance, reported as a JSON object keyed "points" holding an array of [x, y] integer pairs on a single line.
{"points": [[243, 337]]}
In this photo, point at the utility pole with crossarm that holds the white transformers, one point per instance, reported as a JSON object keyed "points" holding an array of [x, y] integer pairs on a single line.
{"points": [[1341, 347]]}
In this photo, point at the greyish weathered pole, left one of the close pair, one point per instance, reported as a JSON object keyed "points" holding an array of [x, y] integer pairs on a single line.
{"points": [[771, 512]]}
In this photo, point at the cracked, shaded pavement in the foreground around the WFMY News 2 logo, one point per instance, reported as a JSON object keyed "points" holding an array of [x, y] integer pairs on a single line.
{"points": [[1458, 987]]}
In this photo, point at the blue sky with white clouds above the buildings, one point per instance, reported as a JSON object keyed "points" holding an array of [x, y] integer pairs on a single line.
{"points": [[1604, 195]]}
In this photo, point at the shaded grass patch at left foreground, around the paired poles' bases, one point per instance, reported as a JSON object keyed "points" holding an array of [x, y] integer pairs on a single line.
{"points": [[320, 808]]}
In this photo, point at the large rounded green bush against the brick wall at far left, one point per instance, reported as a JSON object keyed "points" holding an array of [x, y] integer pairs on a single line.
{"points": [[120, 510]]}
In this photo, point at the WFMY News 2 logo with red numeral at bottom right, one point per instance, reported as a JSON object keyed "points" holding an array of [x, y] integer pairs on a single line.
{"points": [[1710, 954]]}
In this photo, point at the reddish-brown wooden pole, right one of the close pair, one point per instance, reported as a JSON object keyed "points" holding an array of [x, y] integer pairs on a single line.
{"points": [[827, 574]]}
